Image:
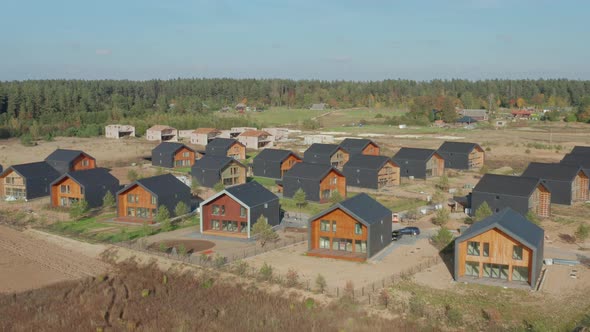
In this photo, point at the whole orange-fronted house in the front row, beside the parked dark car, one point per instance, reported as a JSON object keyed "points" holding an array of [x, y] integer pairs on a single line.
{"points": [[354, 229]]}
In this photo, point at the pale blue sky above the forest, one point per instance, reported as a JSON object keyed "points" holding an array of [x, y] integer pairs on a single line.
{"points": [[321, 39]]}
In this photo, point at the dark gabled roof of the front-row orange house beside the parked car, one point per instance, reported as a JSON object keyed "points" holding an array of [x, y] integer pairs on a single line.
{"points": [[362, 207]]}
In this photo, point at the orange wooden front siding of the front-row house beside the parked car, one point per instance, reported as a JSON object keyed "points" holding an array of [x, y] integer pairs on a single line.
{"points": [[345, 229]]}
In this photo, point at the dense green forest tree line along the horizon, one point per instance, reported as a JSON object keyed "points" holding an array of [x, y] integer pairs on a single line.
{"points": [[82, 108]]}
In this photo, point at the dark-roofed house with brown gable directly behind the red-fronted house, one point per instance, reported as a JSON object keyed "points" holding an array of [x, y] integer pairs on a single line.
{"points": [[210, 170]]}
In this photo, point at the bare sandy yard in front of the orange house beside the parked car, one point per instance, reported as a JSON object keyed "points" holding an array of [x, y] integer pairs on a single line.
{"points": [[339, 272]]}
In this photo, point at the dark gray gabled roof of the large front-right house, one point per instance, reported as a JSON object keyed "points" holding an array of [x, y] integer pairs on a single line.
{"points": [[511, 223]]}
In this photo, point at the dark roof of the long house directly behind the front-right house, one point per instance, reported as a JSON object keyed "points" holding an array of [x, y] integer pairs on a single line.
{"points": [[508, 185]]}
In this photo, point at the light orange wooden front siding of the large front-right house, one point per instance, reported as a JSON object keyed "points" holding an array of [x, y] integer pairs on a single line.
{"points": [[501, 249]]}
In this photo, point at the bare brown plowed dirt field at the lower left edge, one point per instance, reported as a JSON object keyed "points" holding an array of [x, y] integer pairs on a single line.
{"points": [[30, 260]]}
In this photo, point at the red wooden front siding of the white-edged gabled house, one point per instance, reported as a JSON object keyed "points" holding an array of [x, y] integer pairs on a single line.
{"points": [[232, 213]]}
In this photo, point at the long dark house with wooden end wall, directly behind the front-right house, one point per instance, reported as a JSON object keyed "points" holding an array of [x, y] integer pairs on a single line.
{"points": [[522, 194]]}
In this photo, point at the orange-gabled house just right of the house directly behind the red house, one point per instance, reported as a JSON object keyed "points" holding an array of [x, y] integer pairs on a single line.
{"points": [[274, 163]]}
